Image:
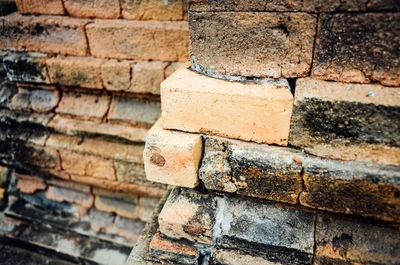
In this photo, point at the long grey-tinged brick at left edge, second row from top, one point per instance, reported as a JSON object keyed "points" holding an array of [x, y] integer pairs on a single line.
{"points": [[50, 34]]}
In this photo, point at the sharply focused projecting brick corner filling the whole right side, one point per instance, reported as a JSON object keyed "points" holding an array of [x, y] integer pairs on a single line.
{"points": [[283, 135]]}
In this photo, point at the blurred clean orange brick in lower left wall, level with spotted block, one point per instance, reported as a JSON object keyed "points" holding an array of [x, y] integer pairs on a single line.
{"points": [[87, 165]]}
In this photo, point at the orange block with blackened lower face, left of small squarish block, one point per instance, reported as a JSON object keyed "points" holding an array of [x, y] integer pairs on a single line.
{"points": [[76, 71]]}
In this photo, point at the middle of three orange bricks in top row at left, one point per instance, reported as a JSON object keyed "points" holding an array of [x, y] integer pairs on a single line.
{"points": [[93, 8]]}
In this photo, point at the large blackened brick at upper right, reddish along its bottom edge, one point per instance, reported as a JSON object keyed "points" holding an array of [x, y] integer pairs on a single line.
{"points": [[358, 48]]}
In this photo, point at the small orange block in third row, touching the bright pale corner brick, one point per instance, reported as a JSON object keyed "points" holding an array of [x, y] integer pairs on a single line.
{"points": [[147, 77]]}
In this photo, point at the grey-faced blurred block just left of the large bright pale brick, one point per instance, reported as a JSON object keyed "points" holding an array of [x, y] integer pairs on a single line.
{"points": [[134, 111]]}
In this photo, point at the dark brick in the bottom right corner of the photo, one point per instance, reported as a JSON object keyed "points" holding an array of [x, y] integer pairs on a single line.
{"points": [[348, 241]]}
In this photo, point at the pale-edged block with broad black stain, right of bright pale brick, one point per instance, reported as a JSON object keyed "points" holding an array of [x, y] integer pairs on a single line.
{"points": [[347, 121]]}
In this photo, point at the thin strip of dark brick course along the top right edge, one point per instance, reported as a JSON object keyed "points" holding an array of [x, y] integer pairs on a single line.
{"points": [[293, 5]]}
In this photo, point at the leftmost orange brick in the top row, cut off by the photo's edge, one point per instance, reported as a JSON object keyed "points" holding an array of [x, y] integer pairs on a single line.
{"points": [[44, 7]]}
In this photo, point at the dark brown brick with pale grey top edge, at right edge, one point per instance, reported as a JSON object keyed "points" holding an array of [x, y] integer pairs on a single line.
{"points": [[332, 185]]}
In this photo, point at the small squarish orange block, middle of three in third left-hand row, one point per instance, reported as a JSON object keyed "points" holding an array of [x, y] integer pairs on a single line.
{"points": [[116, 75]]}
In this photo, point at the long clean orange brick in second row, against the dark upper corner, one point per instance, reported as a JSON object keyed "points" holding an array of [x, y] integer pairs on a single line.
{"points": [[142, 40]]}
